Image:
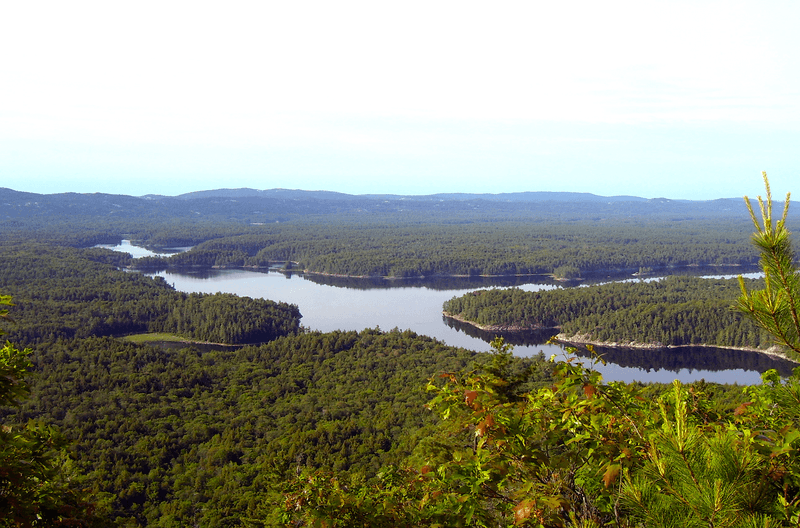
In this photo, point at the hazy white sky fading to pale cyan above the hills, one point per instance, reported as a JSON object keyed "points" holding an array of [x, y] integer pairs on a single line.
{"points": [[657, 99]]}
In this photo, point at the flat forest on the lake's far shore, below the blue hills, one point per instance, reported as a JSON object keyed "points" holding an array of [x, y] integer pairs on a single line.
{"points": [[509, 247]]}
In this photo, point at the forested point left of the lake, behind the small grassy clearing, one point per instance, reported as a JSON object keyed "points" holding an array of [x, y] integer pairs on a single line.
{"points": [[64, 293]]}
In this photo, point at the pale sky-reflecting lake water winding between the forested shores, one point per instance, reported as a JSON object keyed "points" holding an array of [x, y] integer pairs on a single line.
{"points": [[329, 304]]}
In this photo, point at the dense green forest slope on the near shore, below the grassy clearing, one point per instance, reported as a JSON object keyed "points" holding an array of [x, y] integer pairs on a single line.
{"points": [[182, 438]]}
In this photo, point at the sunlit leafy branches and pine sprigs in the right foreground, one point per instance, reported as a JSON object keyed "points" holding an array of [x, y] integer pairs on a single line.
{"points": [[583, 453]]}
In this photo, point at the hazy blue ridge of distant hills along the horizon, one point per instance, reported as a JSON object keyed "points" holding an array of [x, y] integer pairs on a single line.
{"points": [[279, 205]]}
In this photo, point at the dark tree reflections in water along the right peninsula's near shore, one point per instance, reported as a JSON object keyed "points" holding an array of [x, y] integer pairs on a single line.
{"points": [[673, 359]]}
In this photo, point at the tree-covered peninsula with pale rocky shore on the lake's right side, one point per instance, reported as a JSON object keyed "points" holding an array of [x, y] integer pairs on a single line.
{"points": [[672, 311]]}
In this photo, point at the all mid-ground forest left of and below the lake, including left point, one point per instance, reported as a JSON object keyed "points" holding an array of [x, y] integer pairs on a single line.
{"points": [[183, 437]]}
